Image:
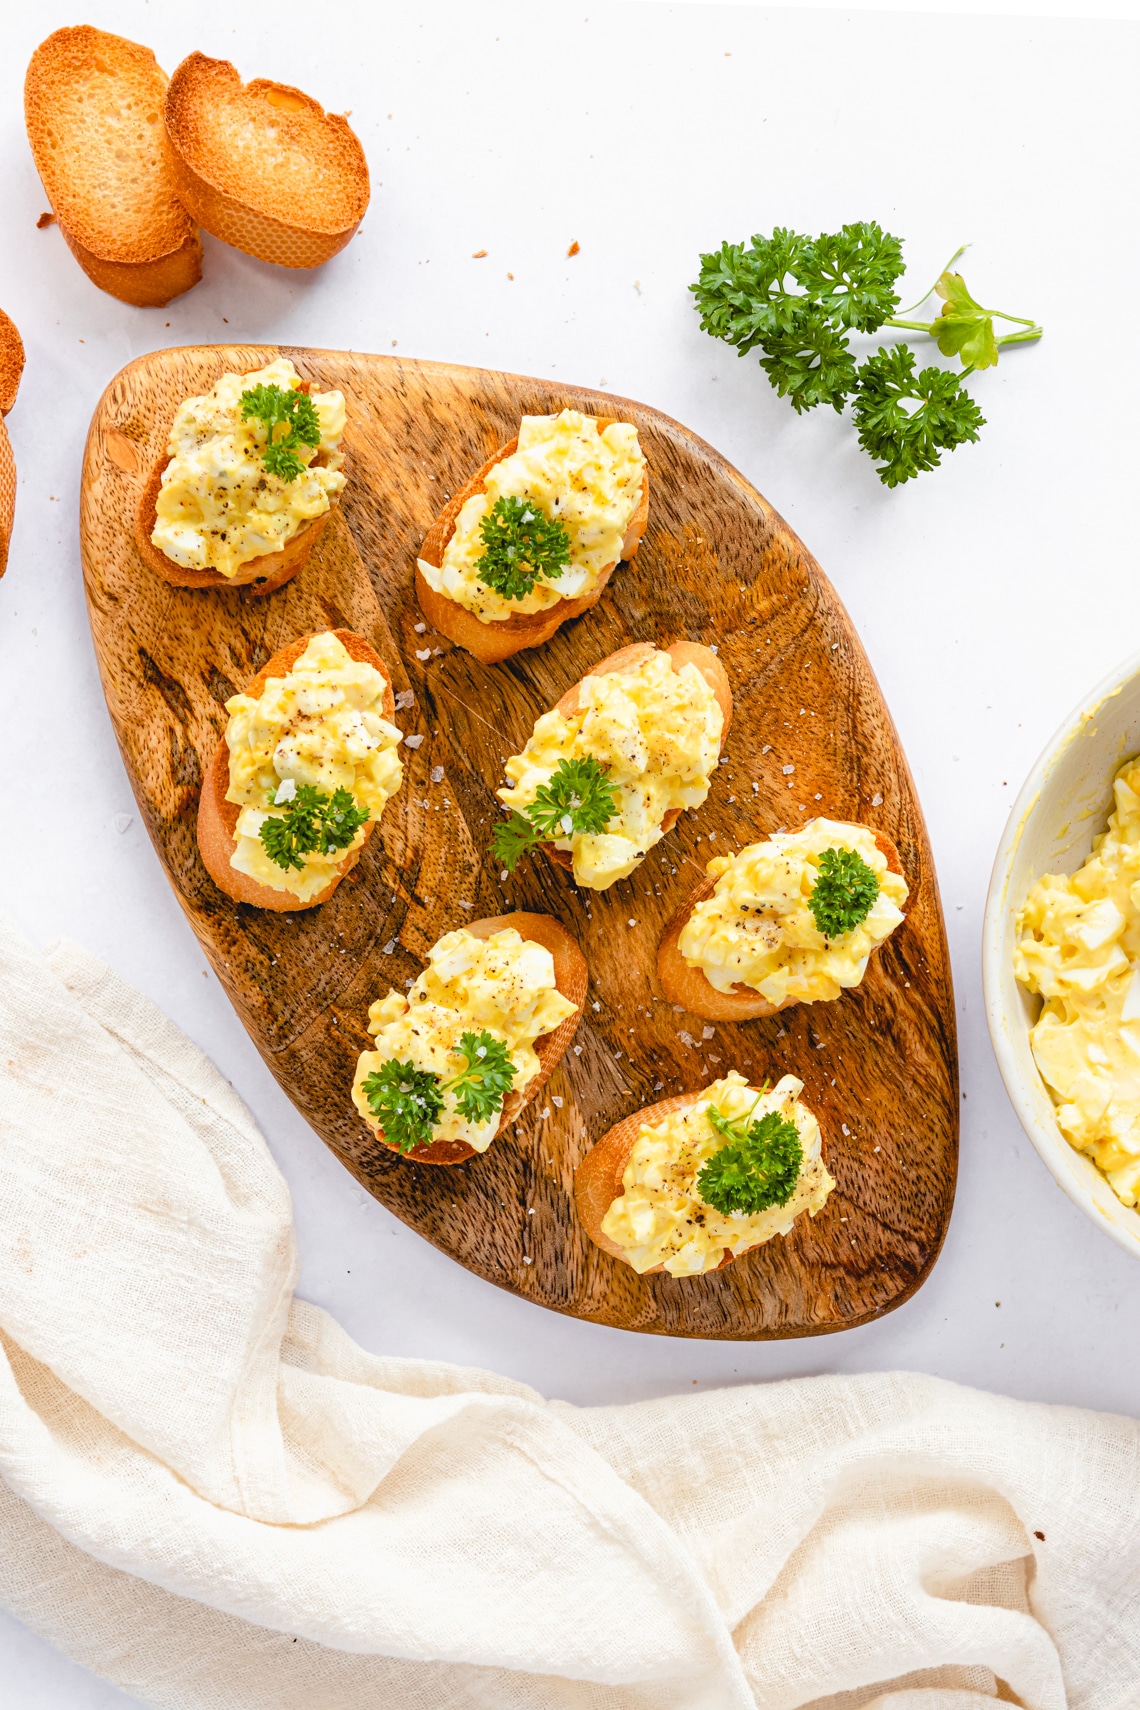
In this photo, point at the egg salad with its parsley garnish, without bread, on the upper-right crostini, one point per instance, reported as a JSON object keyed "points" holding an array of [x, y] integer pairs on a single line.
{"points": [[548, 521]]}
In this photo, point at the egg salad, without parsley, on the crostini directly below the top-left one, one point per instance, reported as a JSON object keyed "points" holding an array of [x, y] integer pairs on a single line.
{"points": [[319, 726]]}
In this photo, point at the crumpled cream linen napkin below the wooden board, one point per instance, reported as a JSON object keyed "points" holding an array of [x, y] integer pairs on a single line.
{"points": [[211, 1497]]}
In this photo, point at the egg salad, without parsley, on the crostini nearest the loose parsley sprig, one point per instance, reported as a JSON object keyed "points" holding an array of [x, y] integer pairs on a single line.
{"points": [[587, 481]]}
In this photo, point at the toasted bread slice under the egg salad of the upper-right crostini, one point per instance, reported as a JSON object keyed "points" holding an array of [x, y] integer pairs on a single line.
{"points": [[512, 635]]}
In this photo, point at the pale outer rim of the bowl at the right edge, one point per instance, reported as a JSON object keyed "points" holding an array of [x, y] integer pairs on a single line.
{"points": [[1059, 1157]]}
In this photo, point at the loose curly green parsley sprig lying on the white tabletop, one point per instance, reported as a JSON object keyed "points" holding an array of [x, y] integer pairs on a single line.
{"points": [[799, 300]]}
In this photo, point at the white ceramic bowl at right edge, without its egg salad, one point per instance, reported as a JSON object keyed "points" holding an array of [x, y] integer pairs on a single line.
{"points": [[1064, 805]]}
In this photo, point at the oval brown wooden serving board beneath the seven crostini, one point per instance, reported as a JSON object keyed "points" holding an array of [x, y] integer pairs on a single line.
{"points": [[717, 565]]}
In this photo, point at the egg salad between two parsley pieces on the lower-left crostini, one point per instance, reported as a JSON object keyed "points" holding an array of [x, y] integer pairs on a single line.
{"points": [[502, 986]]}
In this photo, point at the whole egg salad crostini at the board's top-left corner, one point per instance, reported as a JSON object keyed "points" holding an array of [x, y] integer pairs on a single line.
{"points": [[249, 481]]}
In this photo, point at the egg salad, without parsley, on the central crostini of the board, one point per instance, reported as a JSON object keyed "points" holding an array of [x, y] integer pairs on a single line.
{"points": [[655, 733]]}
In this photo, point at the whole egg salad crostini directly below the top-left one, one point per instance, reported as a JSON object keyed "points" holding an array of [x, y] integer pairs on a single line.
{"points": [[307, 767]]}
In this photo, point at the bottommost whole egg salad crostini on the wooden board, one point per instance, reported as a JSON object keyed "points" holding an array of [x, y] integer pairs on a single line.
{"points": [[693, 1182]]}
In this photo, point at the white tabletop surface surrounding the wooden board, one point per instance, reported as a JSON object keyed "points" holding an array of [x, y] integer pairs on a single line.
{"points": [[989, 594]]}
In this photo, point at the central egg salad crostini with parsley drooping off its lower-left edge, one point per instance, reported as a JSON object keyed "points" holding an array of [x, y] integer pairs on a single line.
{"points": [[609, 770]]}
